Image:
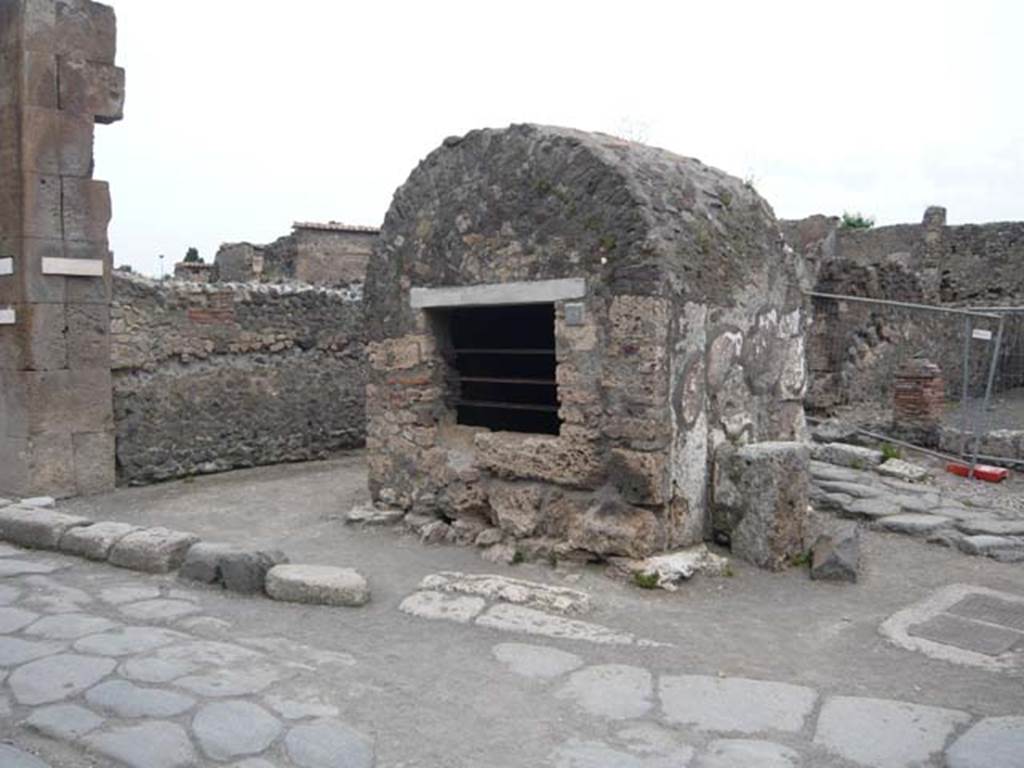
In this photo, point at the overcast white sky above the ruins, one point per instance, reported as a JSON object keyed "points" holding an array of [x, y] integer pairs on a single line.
{"points": [[244, 116]]}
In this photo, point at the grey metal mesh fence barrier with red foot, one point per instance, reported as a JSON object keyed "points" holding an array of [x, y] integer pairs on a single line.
{"points": [[947, 379]]}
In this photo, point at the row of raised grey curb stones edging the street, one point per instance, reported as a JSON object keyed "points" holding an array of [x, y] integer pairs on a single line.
{"points": [[158, 550]]}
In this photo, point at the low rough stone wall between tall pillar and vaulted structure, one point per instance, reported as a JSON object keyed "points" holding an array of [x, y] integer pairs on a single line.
{"points": [[215, 377]]}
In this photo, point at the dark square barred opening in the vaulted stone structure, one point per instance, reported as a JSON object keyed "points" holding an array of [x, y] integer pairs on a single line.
{"points": [[503, 360]]}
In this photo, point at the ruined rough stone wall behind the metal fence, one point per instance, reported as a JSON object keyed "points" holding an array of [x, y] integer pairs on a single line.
{"points": [[855, 351]]}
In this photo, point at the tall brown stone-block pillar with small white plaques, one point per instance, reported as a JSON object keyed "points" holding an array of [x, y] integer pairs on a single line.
{"points": [[58, 79]]}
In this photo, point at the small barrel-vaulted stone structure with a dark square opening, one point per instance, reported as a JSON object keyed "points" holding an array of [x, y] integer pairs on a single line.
{"points": [[564, 329]]}
